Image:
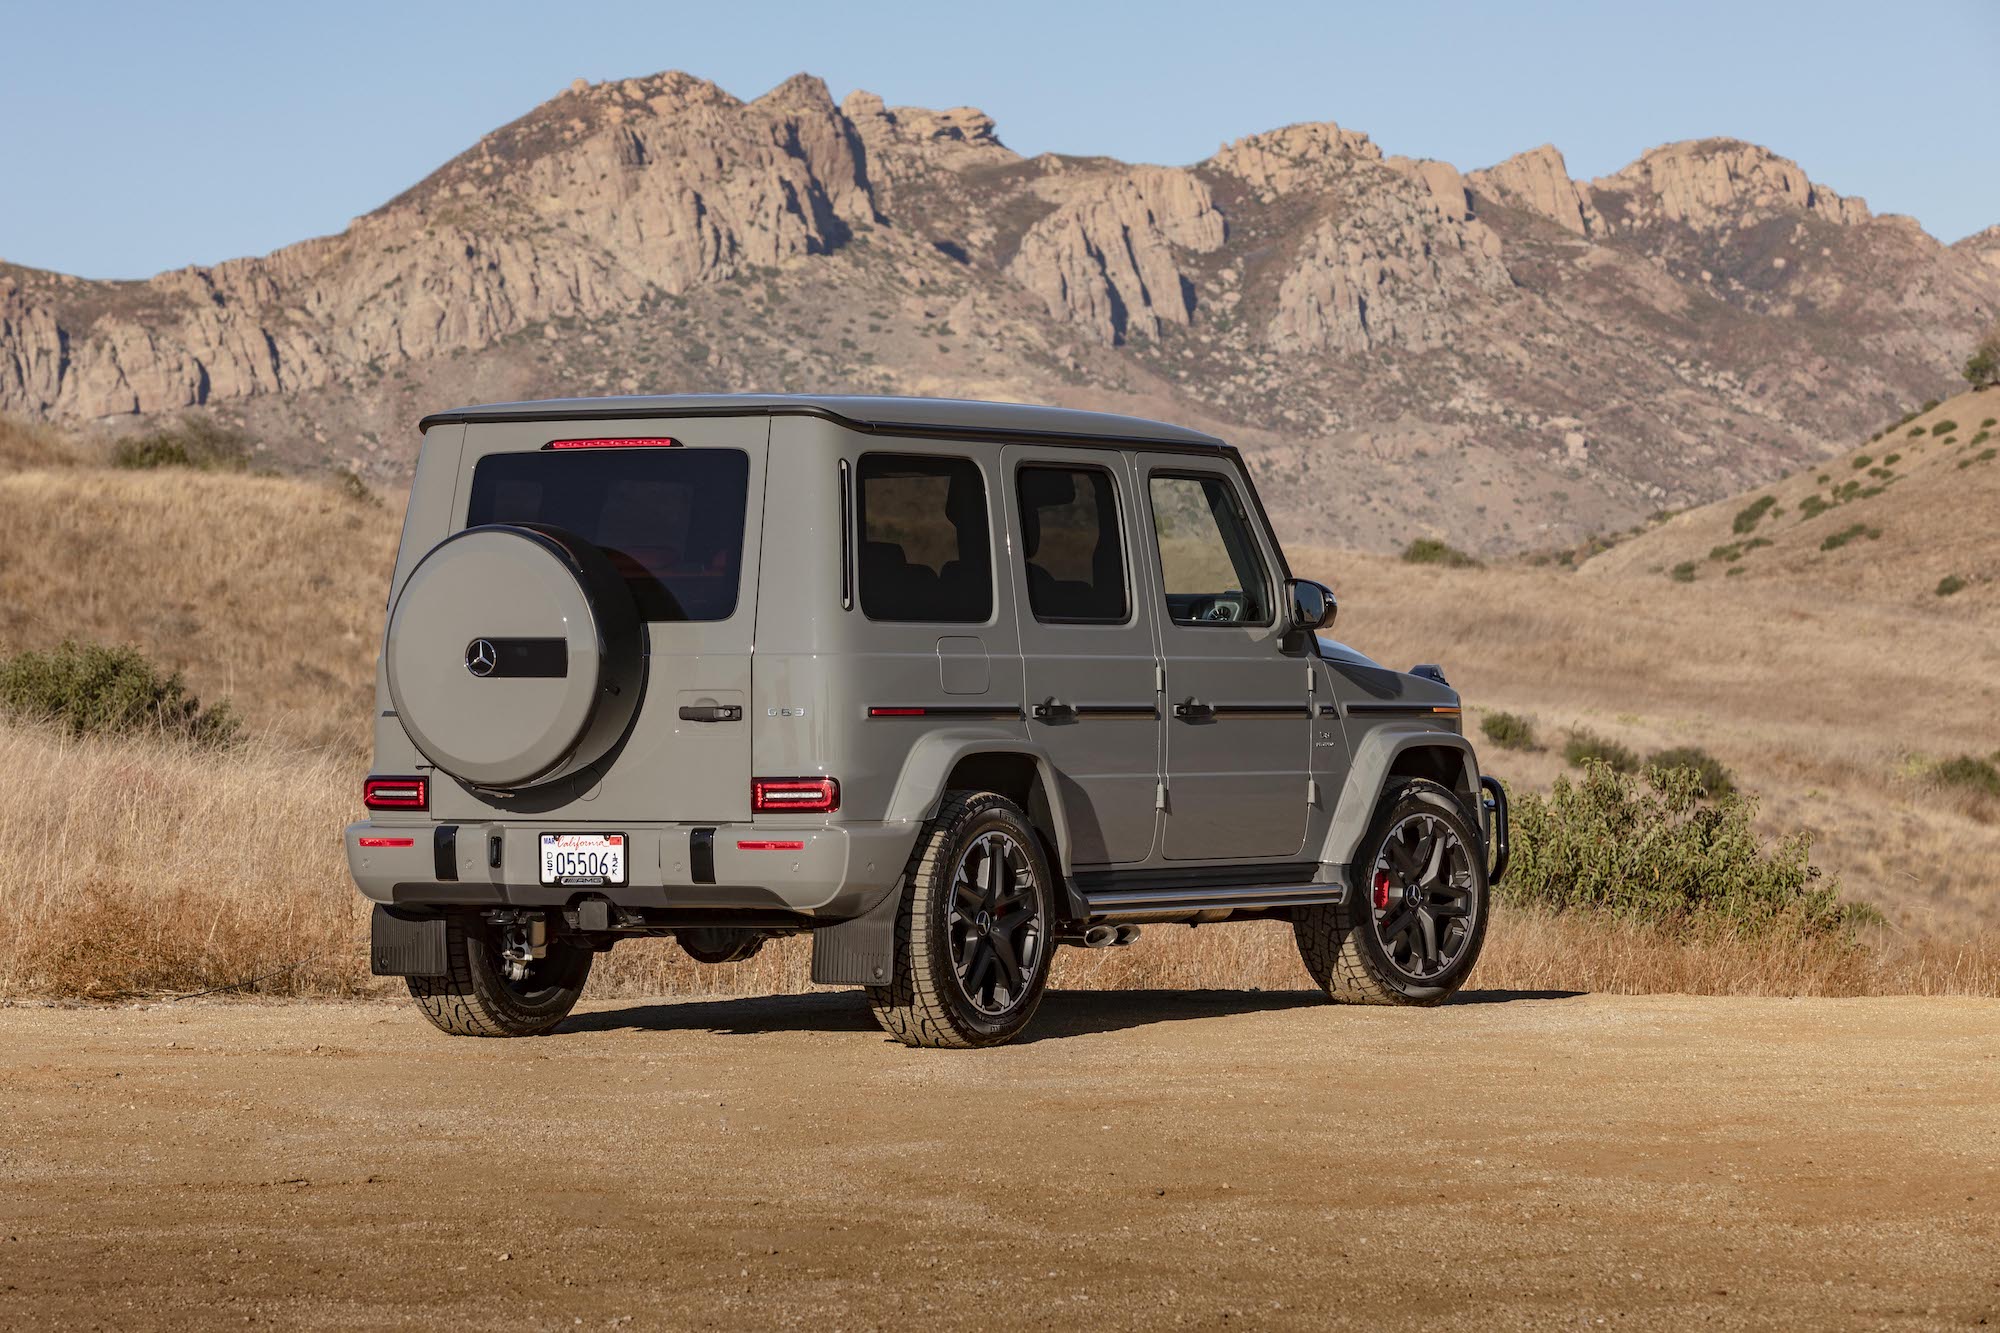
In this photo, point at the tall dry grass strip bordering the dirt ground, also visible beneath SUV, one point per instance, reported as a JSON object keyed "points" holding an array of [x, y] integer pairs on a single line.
{"points": [[145, 868]]}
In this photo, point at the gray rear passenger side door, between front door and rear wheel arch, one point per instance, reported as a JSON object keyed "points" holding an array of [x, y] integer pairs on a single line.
{"points": [[1087, 631]]}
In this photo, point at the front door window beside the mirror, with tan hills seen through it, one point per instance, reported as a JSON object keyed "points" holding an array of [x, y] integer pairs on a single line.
{"points": [[1209, 559]]}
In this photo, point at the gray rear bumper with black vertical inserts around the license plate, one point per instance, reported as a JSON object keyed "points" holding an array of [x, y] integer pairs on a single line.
{"points": [[833, 872]]}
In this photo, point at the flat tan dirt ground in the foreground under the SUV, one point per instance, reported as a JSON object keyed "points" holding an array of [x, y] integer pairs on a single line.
{"points": [[1149, 1160]]}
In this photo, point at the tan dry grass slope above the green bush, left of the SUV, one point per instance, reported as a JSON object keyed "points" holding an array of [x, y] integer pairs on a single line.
{"points": [[259, 589]]}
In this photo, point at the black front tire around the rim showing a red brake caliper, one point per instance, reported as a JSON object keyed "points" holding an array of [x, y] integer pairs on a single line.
{"points": [[1339, 944]]}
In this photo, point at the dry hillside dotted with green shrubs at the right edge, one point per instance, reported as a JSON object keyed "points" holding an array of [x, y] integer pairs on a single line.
{"points": [[1889, 517]]}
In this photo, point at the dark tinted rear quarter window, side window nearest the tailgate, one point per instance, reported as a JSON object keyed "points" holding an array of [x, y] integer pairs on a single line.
{"points": [[927, 553]]}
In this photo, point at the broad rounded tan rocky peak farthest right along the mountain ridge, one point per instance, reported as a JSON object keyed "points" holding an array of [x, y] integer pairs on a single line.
{"points": [[1713, 183]]}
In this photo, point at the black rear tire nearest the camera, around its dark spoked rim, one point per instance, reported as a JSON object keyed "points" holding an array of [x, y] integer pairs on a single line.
{"points": [[923, 1004]]}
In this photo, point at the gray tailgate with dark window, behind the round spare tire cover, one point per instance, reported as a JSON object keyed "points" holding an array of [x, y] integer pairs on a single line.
{"points": [[677, 505]]}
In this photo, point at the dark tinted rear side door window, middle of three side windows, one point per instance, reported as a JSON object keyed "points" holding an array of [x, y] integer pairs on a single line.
{"points": [[1069, 533]]}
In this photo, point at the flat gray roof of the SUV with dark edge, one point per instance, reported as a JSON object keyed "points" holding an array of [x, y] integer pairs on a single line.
{"points": [[881, 415]]}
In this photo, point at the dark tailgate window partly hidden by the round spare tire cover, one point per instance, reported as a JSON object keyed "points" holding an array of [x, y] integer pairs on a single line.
{"points": [[669, 519]]}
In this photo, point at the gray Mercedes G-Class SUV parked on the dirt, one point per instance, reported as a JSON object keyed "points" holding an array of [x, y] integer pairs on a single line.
{"points": [[943, 684]]}
